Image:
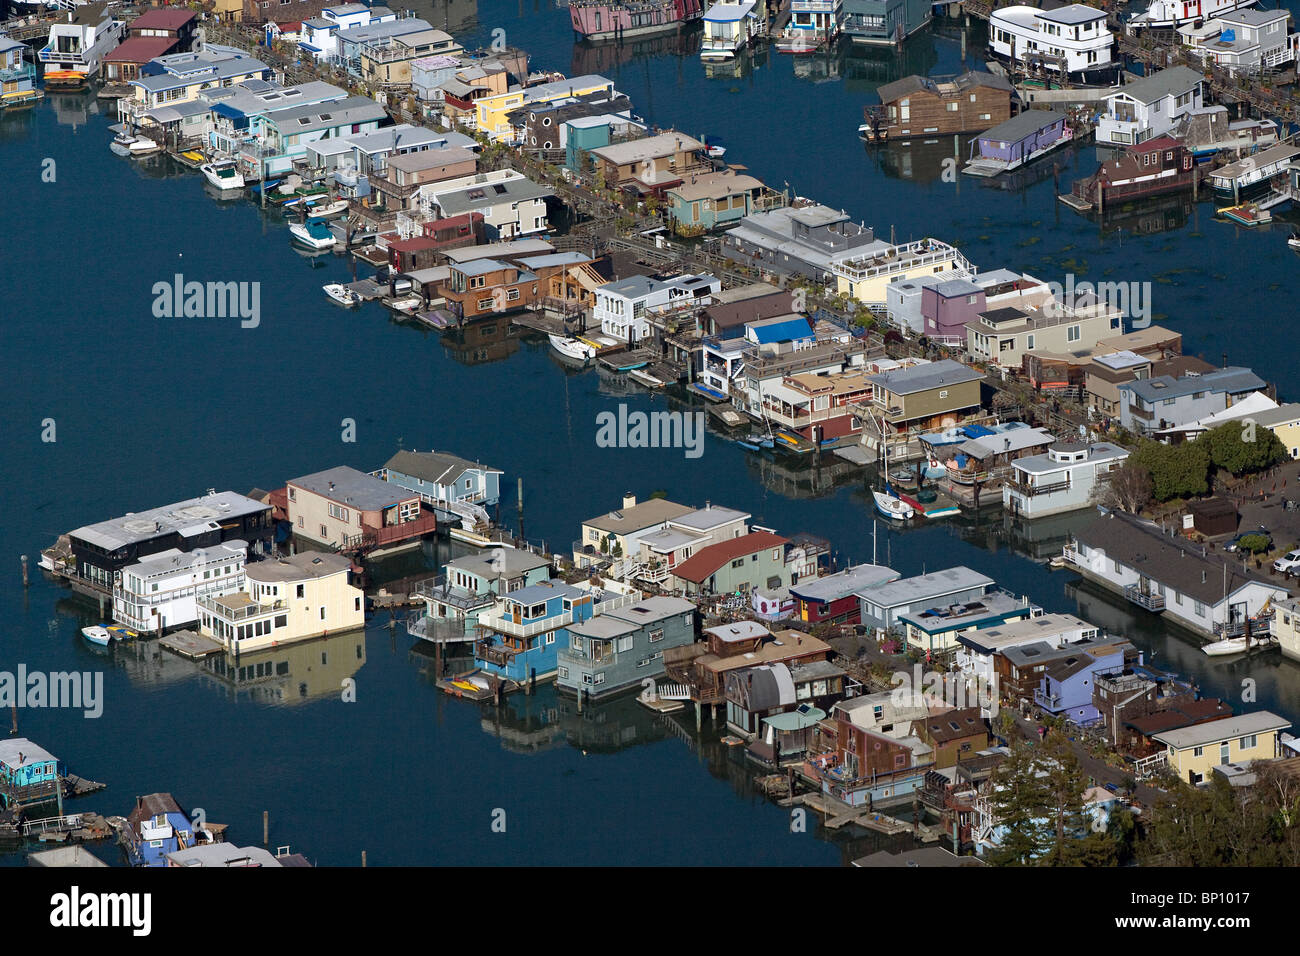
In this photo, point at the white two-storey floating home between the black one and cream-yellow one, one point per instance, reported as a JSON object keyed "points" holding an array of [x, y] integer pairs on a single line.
{"points": [[163, 591]]}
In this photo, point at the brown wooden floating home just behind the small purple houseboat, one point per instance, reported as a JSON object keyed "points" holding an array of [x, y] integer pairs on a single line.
{"points": [[917, 107]]}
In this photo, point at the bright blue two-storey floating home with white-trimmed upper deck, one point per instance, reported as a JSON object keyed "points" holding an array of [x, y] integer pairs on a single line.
{"points": [[526, 630]]}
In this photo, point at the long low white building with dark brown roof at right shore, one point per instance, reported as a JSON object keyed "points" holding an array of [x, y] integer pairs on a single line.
{"points": [[1197, 589]]}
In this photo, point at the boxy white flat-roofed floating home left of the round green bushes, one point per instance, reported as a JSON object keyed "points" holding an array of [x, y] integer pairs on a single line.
{"points": [[1061, 481]]}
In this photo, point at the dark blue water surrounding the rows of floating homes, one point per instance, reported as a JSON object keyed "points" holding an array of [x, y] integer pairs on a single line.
{"points": [[151, 410]]}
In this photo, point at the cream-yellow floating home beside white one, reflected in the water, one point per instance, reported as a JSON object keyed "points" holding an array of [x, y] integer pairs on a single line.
{"points": [[292, 599]]}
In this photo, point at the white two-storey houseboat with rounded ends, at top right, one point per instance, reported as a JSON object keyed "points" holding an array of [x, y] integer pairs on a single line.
{"points": [[1071, 41]]}
